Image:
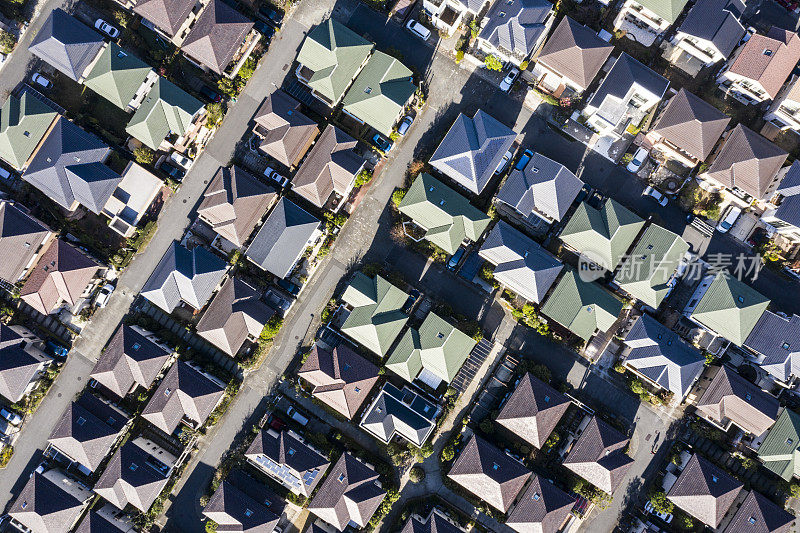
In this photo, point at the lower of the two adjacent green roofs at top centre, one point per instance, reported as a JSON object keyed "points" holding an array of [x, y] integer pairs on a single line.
{"points": [[380, 92]]}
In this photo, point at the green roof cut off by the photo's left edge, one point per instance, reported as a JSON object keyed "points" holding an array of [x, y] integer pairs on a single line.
{"points": [[23, 123]]}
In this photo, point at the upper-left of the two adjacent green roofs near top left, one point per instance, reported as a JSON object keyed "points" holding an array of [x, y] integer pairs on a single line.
{"points": [[117, 75]]}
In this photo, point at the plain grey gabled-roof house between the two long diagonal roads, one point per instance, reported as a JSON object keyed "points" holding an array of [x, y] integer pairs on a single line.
{"points": [[282, 239]]}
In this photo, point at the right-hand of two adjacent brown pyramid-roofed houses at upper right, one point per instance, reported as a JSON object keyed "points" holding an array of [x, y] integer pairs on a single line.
{"points": [[747, 165]]}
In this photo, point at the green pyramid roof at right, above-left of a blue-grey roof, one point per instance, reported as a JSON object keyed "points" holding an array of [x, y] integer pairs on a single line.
{"points": [[730, 308]]}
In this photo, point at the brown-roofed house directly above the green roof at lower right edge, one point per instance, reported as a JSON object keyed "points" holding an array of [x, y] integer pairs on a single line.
{"points": [[732, 400]]}
